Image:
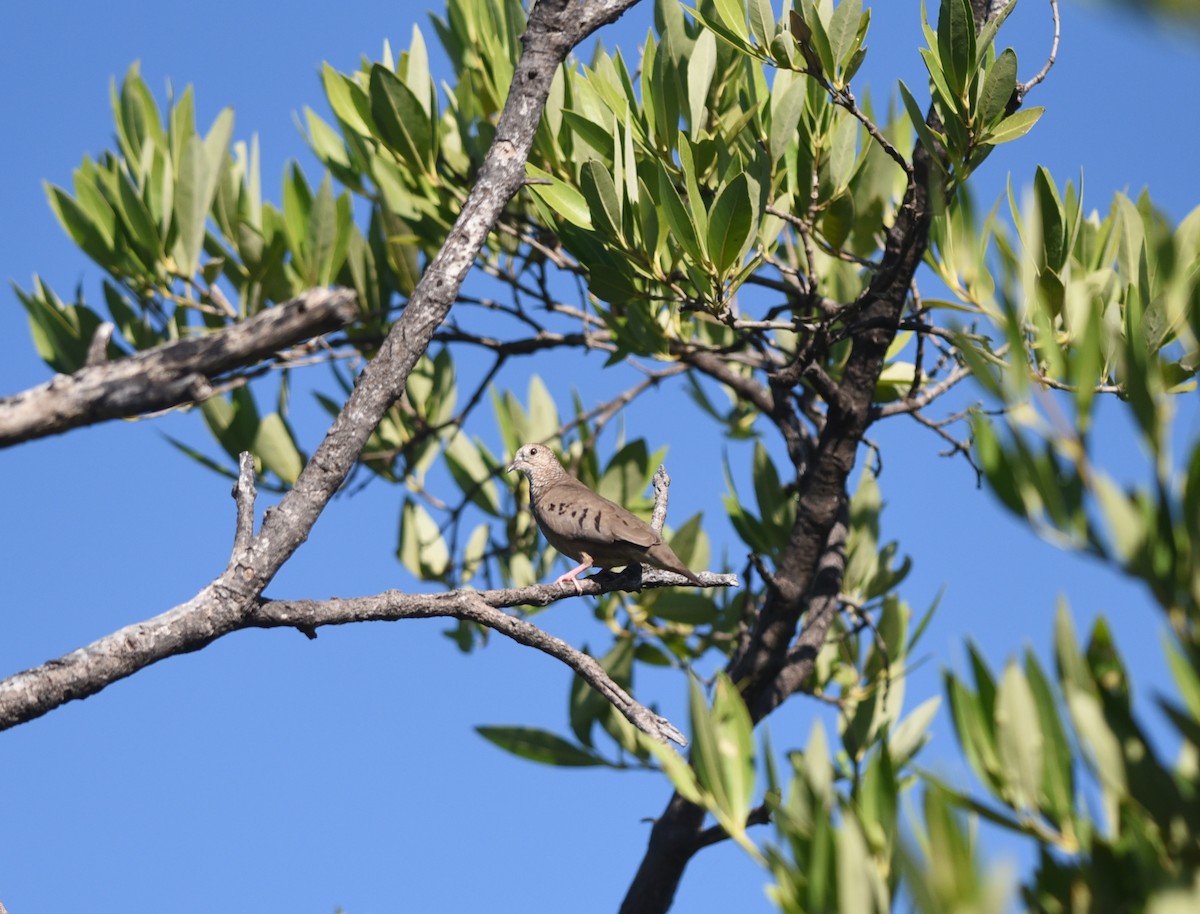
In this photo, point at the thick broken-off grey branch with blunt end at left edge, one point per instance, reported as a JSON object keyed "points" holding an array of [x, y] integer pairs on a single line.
{"points": [[171, 375]]}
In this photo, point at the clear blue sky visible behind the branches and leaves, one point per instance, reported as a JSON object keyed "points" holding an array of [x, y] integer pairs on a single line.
{"points": [[274, 774]]}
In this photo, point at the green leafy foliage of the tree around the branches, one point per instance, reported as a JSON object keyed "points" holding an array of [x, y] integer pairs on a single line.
{"points": [[724, 212]]}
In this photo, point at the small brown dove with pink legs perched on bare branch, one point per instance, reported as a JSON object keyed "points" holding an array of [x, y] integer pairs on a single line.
{"points": [[587, 527]]}
